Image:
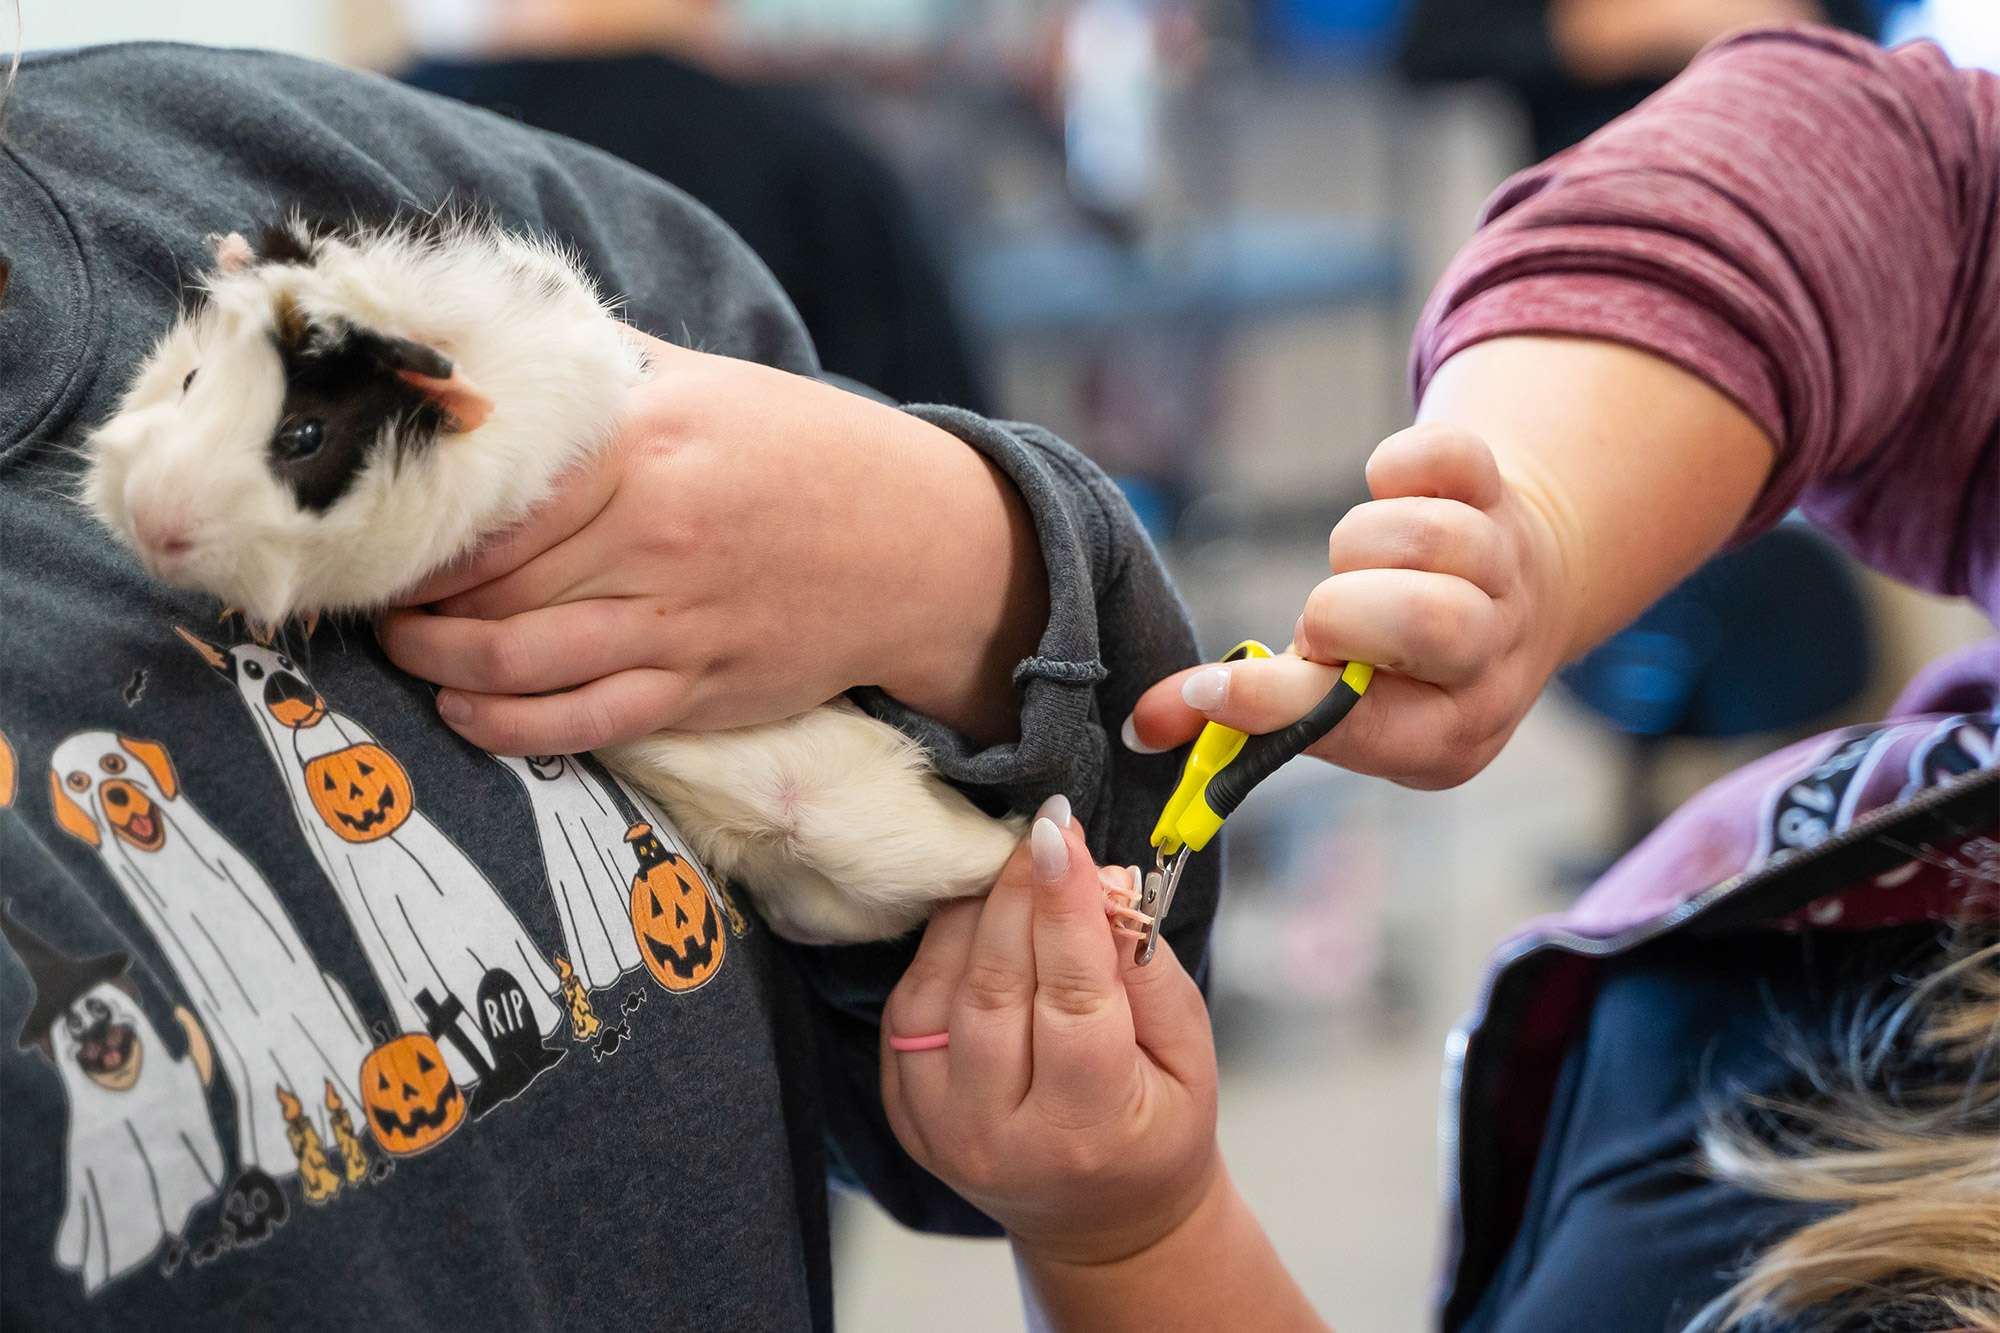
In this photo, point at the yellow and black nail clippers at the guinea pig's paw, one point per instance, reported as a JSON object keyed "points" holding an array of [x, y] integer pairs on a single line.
{"points": [[1223, 768]]}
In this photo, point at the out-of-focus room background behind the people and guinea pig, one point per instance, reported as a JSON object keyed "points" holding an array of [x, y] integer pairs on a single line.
{"points": [[1193, 237]]}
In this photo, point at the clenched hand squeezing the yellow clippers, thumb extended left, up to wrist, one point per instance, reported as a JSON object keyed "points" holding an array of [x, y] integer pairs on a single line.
{"points": [[1451, 581]]}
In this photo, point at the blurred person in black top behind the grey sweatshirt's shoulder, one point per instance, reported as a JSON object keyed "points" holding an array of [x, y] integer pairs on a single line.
{"points": [[823, 211]]}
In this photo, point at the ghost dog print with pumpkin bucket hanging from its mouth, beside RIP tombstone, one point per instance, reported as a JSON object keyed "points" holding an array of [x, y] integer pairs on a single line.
{"points": [[445, 948]]}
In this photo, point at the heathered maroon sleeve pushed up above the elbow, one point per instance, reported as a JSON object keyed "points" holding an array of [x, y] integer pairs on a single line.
{"points": [[1809, 223]]}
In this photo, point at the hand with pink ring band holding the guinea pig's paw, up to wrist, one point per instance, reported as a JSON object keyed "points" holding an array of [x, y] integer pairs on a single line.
{"points": [[1077, 1100]]}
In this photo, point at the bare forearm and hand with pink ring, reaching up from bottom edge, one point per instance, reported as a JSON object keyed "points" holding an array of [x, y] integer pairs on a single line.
{"points": [[1077, 1106]]}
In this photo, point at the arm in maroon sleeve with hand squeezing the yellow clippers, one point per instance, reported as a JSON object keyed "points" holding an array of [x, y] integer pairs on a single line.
{"points": [[1769, 285]]}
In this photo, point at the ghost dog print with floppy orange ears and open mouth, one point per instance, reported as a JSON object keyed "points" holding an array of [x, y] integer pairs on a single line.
{"points": [[275, 1018]]}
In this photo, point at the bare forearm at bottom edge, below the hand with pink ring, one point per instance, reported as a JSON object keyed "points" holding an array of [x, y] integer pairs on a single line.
{"points": [[1217, 1270]]}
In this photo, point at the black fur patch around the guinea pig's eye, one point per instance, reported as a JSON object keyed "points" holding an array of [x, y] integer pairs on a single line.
{"points": [[345, 377]]}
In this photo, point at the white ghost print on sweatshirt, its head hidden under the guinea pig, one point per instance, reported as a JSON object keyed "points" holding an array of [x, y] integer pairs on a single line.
{"points": [[589, 868]]}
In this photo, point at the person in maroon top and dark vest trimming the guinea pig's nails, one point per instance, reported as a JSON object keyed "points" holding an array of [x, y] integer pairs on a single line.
{"points": [[1751, 1080]]}
